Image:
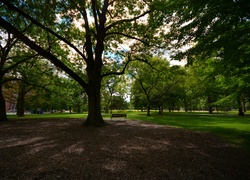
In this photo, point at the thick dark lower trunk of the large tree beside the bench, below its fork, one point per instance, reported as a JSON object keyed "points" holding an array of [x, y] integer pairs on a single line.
{"points": [[94, 105]]}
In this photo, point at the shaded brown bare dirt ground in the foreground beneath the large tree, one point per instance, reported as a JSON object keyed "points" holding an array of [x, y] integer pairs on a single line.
{"points": [[63, 149]]}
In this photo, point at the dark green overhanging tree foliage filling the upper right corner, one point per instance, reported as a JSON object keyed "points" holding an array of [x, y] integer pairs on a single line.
{"points": [[213, 29]]}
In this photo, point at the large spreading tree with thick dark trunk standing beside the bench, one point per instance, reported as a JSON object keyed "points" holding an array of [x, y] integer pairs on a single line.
{"points": [[92, 30]]}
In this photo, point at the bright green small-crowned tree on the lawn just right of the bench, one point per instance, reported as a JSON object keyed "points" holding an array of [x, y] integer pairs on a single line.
{"points": [[155, 82]]}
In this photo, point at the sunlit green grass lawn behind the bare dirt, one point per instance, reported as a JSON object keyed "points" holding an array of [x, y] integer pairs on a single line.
{"points": [[228, 125]]}
